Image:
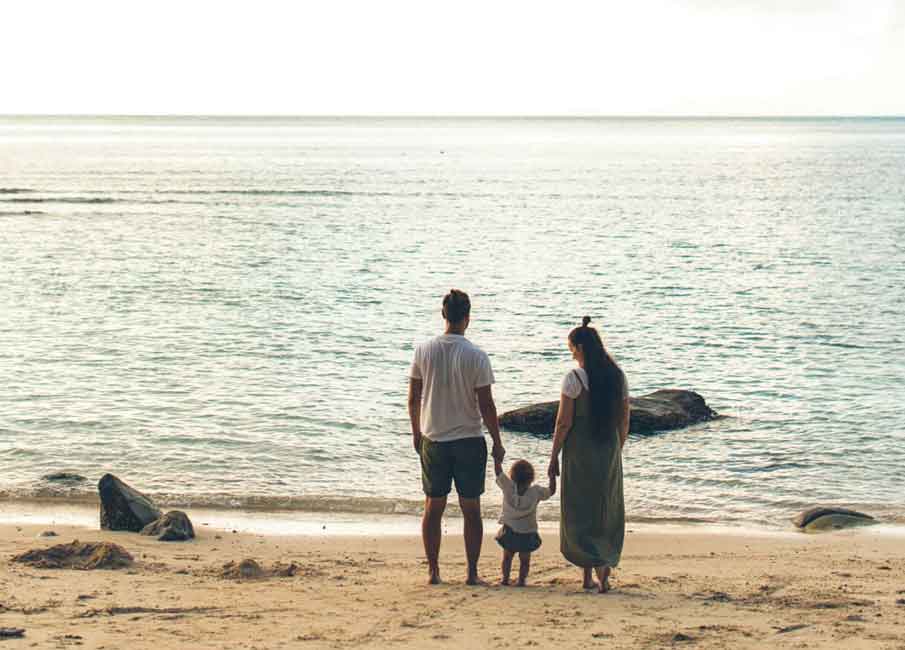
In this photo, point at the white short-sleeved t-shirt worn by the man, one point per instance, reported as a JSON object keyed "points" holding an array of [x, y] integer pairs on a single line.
{"points": [[451, 369]]}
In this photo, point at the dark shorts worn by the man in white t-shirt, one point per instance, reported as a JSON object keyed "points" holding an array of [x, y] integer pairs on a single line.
{"points": [[464, 461]]}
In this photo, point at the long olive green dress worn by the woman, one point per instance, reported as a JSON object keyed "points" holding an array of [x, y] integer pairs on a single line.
{"points": [[592, 509]]}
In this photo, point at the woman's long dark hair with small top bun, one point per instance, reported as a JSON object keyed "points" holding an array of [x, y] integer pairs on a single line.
{"points": [[606, 382]]}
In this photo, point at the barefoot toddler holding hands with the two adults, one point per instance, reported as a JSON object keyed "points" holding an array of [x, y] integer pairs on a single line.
{"points": [[519, 517]]}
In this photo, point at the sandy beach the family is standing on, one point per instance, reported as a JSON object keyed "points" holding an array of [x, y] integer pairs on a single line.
{"points": [[677, 586]]}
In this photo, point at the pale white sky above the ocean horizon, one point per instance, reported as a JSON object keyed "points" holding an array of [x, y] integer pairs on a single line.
{"points": [[648, 57]]}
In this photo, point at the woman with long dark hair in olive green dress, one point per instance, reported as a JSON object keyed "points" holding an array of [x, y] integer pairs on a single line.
{"points": [[591, 429]]}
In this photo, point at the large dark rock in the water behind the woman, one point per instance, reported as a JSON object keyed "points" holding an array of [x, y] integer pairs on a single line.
{"points": [[658, 411]]}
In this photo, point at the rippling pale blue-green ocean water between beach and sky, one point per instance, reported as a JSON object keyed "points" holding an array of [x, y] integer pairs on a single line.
{"points": [[222, 310]]}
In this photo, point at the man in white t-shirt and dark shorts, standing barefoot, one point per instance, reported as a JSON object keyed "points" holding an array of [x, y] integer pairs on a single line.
{"points": [[449, 395]]}
